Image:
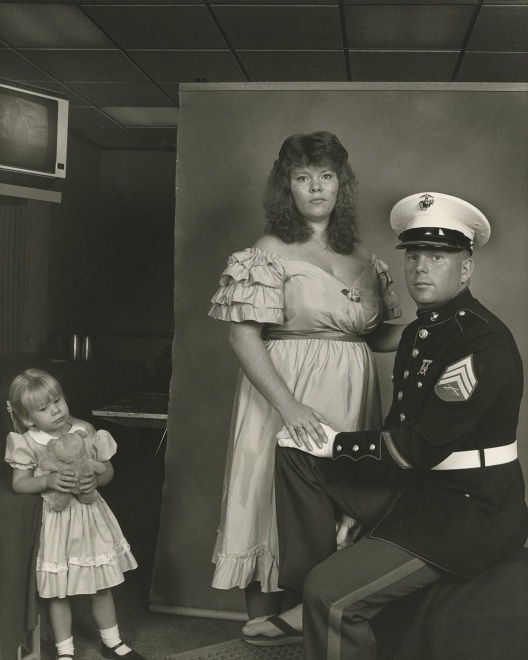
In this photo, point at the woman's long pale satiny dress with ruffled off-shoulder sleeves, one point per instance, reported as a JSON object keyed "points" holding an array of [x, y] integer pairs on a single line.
{"points": [[314, 330]]}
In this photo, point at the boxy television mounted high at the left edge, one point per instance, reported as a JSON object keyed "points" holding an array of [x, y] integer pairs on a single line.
{"points": [[33, 131]]}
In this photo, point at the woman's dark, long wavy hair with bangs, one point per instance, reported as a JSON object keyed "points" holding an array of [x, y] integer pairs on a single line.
{"points": [[320, 149]]}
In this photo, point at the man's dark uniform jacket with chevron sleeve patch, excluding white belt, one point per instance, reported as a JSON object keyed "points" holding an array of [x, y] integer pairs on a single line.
{"points": [[458, 384]]}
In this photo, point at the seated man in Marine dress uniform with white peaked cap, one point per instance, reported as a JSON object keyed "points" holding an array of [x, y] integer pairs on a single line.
{"points": [[439, 488]]}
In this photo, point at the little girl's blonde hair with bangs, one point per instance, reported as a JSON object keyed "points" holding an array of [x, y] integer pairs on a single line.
{"points": [[28, 391]]}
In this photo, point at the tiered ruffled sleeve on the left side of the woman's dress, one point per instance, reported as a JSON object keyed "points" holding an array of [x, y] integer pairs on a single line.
{"points": [[251, 288]]}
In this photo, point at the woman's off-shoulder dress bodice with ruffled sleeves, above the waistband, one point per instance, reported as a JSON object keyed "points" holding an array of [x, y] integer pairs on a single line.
{"points": [[297, 298]]}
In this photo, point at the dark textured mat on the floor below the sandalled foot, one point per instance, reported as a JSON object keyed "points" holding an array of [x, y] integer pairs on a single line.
{"points": [[238, 650]]}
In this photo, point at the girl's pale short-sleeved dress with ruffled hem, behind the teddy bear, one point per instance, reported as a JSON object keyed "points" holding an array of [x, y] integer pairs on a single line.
{"points": [[82, 548]]}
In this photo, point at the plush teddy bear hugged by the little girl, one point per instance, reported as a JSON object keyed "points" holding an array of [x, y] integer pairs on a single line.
{"points": [[68, 452]]}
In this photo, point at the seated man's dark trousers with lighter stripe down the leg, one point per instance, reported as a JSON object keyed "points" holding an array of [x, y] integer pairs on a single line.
{"points": [[342, 590]]}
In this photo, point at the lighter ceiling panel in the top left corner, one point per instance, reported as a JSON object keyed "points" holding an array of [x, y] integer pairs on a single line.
{"points": [[48, 25]]}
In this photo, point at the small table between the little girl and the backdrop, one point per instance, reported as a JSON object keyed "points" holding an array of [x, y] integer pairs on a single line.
{"points": [[144, 410]]}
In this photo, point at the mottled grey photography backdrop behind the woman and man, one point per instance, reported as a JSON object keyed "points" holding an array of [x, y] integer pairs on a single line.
{"points": [[461, 139]]}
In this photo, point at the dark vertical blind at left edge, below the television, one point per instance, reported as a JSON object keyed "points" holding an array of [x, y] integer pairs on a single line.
{"points": [[14, 284]]}
